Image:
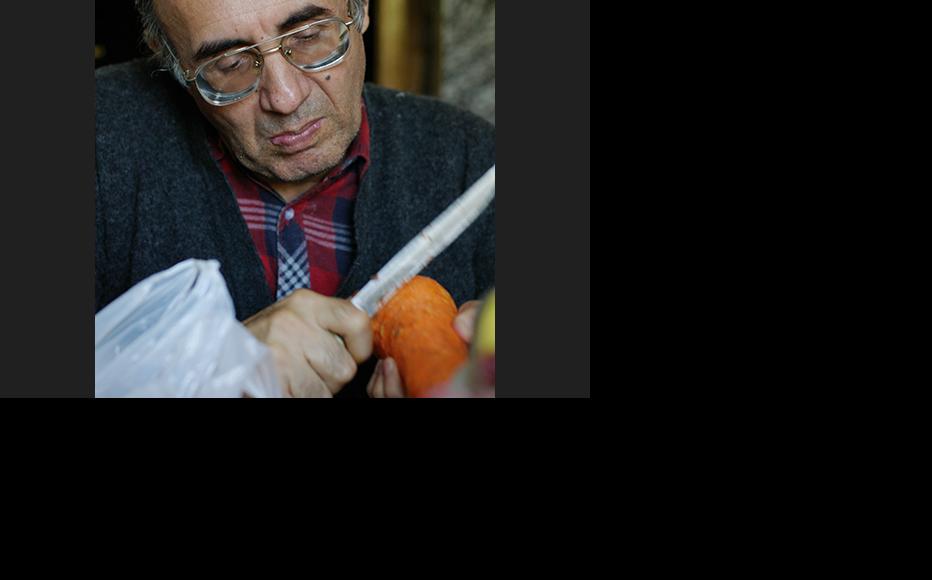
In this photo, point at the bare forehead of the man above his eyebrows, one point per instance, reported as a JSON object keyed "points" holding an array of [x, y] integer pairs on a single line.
{"points": [[194, 21]]}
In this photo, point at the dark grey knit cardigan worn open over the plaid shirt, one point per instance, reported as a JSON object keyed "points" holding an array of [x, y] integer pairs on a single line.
{"points": [[161, 198]]}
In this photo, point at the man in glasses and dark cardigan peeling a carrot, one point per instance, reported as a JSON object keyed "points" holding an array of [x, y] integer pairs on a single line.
{"points": [[257, 143]]}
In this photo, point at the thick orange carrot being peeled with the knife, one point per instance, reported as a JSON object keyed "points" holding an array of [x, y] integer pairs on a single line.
{"points": [[415, 328]]}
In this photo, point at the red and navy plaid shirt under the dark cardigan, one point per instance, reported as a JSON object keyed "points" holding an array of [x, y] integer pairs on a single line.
{"points": [[308, 243]]}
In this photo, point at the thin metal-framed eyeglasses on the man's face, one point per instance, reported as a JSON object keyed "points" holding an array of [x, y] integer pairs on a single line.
{"points": [[234, 75]]}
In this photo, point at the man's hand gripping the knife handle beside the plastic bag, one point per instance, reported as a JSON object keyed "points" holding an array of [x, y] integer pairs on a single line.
{"points": [[304, 332]]}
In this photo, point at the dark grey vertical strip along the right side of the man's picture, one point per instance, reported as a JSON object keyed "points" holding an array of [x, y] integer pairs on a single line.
{"points": [[542, 201]]}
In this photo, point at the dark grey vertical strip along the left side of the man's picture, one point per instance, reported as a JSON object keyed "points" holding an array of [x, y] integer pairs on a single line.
{"points": [[48, 164]]}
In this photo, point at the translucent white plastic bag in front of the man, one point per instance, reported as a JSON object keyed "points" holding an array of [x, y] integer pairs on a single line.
{"points": [[175, 334]]}
